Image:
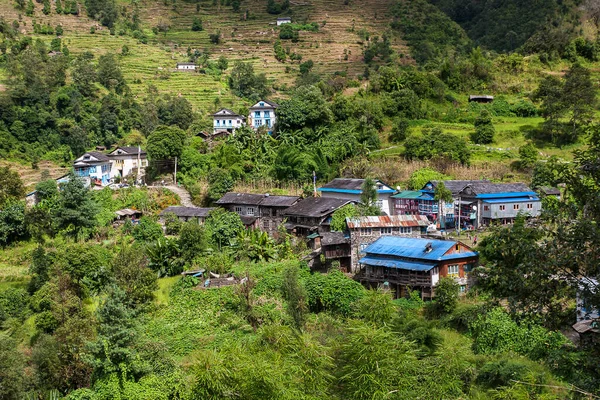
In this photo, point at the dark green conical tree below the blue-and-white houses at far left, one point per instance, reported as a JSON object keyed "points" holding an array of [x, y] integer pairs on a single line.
{"points": [[75, 211]]}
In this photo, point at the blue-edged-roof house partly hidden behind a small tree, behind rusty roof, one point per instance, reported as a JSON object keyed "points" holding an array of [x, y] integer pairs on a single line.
{"points": [[351, 189]]}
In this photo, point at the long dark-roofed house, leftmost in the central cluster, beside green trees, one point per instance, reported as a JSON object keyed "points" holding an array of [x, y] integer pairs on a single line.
{"points": [[262, 211]]}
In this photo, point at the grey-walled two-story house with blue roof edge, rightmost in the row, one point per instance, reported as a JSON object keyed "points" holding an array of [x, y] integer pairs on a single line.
{"points": [[499, 202]]}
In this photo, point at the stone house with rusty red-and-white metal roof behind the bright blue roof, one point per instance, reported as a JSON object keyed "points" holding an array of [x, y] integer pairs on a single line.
{"points": [[365, 230]]}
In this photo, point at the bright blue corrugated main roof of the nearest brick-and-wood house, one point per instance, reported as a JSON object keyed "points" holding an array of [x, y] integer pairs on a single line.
{"points": [[414, 248]]}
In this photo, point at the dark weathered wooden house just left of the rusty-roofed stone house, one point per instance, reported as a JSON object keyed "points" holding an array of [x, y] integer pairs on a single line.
{"points": [[312, 215]]}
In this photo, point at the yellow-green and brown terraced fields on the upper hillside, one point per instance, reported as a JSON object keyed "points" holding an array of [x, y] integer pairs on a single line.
{"points": [[336, 47]]}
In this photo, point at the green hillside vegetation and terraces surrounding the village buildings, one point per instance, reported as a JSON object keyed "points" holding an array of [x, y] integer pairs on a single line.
{"points": [[374, 88]]}
